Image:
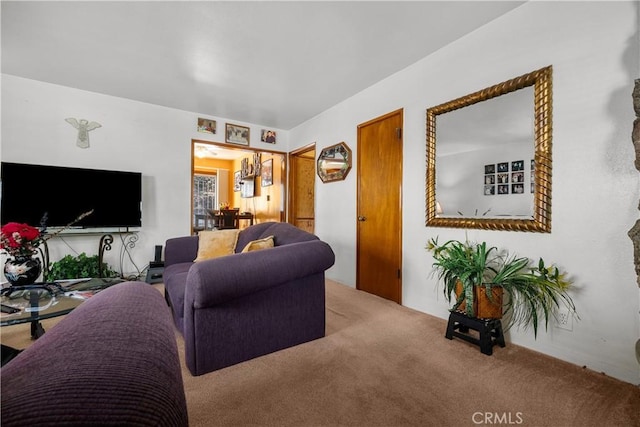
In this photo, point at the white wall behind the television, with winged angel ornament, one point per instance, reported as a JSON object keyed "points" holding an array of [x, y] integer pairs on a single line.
{"points": [[134, 136]]}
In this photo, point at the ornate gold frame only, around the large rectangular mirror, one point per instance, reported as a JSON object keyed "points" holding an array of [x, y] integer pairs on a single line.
{"points": [[541, 80]]}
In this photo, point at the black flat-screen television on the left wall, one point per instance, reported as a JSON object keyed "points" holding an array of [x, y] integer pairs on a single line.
{"points": [[64, 193]]}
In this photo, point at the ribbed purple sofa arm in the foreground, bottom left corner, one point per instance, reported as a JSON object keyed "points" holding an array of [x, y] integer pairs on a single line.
{"points": [[111, 361]]}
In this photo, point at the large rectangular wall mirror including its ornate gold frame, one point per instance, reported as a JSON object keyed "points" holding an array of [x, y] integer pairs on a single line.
{"points": [[489, 157]]}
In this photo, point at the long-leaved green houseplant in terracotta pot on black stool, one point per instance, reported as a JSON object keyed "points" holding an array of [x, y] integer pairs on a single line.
{"points": [[532, 291]]}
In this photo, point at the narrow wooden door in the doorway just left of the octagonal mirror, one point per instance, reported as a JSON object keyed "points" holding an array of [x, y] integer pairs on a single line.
{"points": [[302, 180]]}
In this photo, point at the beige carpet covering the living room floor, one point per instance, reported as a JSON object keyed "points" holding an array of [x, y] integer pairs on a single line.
{"points": [[381, 364]]}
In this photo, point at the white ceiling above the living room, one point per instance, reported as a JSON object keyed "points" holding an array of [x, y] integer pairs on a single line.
{"points": [[271, 63]]}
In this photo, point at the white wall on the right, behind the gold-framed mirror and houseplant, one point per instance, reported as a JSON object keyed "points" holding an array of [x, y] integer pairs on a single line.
{"points": [[593, 48]]}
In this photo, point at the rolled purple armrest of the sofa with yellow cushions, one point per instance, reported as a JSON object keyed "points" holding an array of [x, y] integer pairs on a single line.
{"points": [[215, 281]]}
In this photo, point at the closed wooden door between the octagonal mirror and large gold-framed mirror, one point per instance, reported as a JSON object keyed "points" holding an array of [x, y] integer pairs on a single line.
{"points": [[379, 210]]}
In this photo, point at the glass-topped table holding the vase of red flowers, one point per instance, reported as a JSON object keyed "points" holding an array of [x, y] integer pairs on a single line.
{"points": [[41, 301]]}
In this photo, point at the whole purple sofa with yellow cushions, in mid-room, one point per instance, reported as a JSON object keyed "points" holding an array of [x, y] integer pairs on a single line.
{"points": [[241, 306]]}
